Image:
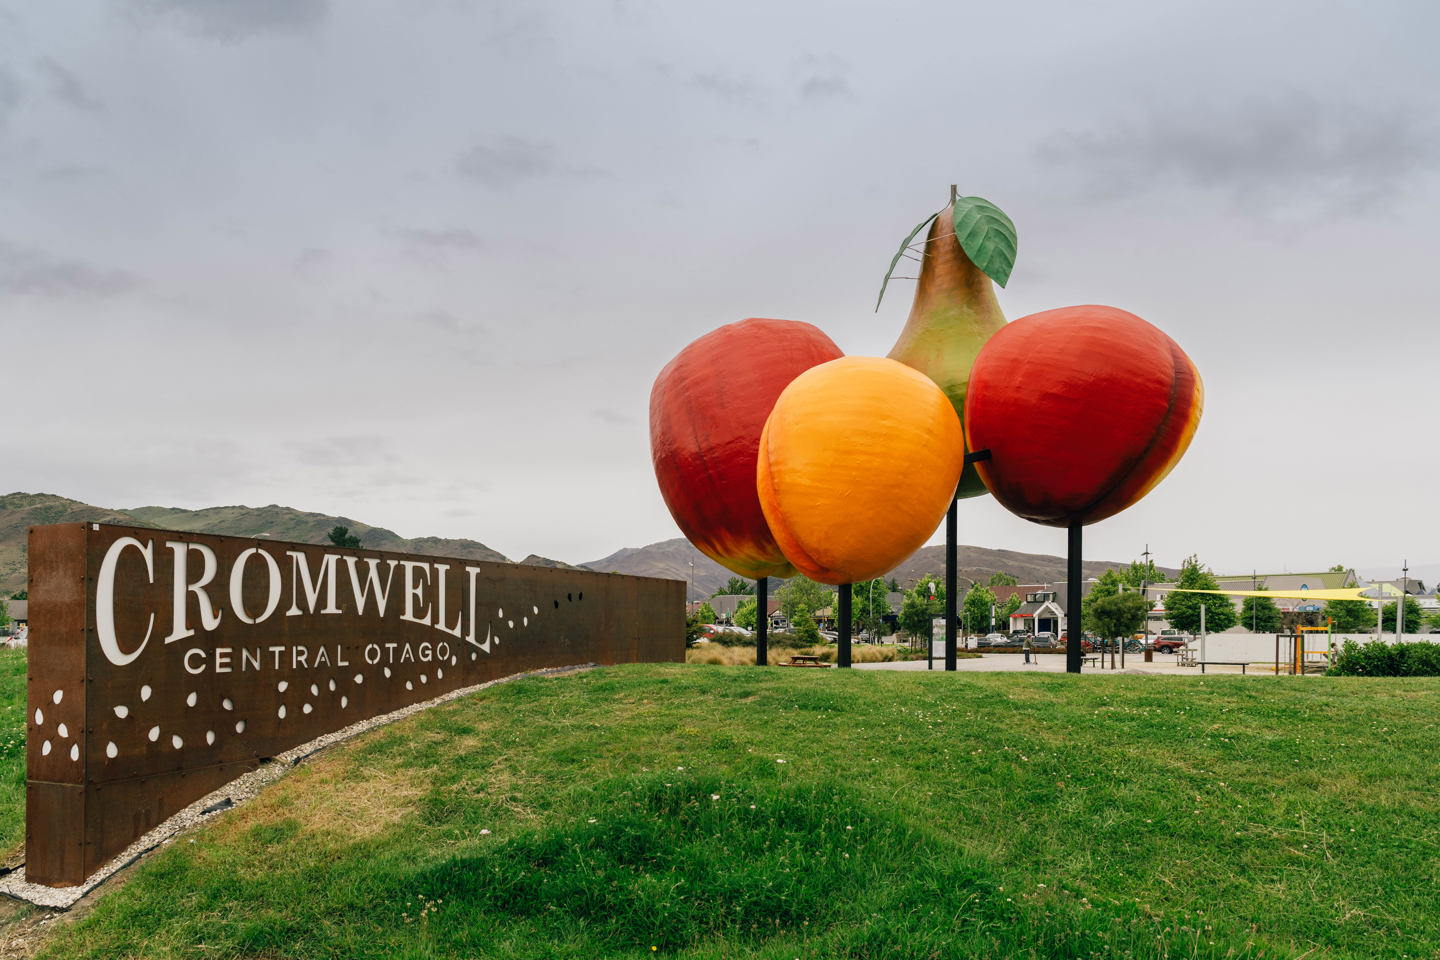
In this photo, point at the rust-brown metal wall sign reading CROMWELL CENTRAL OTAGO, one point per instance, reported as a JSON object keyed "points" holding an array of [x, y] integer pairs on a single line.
{"points": [[166, 664]]}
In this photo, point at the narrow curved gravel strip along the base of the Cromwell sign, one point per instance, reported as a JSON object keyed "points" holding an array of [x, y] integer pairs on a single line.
{"points": [[231, 795]]}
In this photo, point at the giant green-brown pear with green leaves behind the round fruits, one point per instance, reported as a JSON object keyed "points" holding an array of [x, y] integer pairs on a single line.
{"points": [[955, 312]]}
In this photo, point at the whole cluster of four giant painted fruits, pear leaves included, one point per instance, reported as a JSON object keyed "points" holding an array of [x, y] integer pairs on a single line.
{"points": [[775, 454]]}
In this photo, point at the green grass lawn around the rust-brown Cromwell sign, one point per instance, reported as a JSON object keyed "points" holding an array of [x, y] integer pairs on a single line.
{"points": [[739, 812]]}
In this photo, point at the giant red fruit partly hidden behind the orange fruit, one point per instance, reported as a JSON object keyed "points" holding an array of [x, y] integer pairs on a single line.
{"points": [[706, 415]]}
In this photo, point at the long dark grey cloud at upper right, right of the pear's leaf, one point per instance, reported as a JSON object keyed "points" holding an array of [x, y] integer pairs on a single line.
{"points": [[1275, 159]]}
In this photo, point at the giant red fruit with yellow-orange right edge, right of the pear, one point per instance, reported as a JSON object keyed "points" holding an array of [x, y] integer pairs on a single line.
{"points": [[1084, 409]]}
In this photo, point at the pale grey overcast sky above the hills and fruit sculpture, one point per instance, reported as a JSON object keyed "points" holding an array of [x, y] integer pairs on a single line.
{"points": [[420, 263]]}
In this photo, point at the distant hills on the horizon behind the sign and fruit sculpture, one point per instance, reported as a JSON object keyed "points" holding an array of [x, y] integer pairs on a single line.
{"points": [[670, 559]]}
